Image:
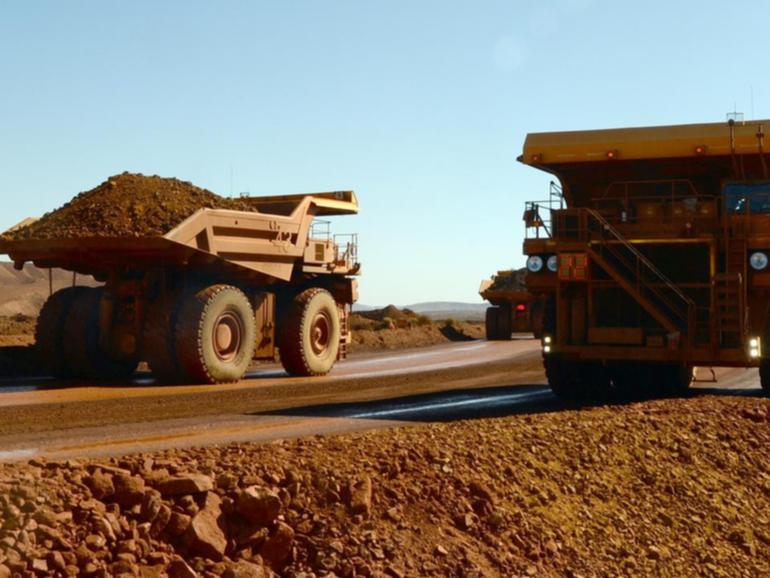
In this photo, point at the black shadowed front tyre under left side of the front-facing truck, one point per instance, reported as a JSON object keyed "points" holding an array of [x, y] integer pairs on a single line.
{"points": [[576, 380]]}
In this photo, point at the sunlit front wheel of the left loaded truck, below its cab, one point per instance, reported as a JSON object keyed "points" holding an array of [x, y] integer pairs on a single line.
{"points": [[309, 333]]}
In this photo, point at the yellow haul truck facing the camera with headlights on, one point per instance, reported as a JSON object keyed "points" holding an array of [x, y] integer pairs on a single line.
{"points": [[656, 259]]}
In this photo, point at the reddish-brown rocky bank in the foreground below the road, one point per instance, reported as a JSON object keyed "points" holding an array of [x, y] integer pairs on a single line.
{"points": [[662, 488]]}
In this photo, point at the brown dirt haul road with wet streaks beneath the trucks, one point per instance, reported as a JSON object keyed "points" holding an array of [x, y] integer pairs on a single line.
{"points": [[59, 420]]}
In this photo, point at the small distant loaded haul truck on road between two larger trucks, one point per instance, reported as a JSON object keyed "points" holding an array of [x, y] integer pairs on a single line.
{"points": [[512, 310]]}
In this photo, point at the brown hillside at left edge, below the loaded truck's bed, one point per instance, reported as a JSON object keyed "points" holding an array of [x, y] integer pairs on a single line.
{"points": [[23, 292]]}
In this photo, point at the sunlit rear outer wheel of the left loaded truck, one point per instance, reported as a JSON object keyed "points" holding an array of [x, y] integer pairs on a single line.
{"points": [[215, 335]]}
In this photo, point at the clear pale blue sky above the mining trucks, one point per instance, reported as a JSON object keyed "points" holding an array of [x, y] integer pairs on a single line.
{"points": [[419, 106]]}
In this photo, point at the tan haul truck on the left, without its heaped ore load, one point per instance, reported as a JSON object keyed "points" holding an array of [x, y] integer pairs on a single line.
{"points": [[200, 303]]}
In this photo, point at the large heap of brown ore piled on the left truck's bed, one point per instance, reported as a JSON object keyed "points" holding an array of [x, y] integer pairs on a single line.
{"points": [[126, 205]]}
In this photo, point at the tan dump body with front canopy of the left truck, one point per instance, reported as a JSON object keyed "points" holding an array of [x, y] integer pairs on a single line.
{"points": [[258, 241]]}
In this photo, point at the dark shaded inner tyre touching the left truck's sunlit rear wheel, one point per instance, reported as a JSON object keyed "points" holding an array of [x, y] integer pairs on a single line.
{"points": [[158, 342]]}
